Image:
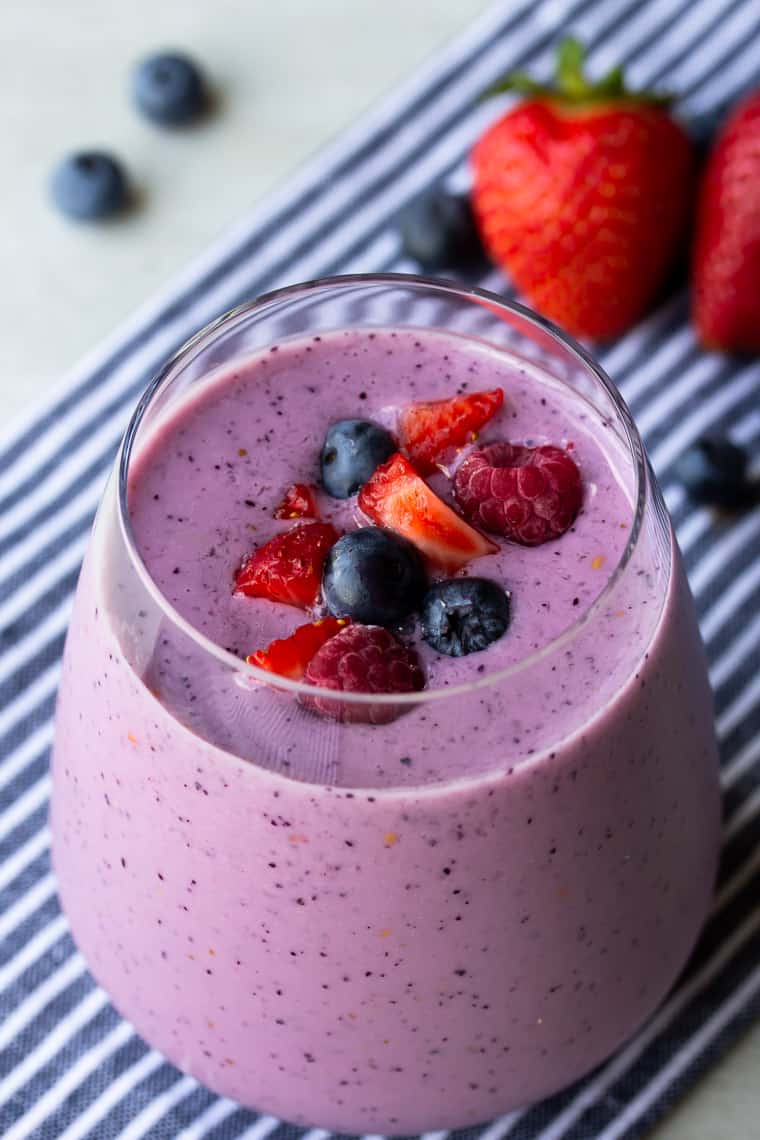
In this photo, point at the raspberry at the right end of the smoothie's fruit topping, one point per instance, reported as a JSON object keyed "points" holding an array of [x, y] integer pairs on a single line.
{"points": [[527, 494]]}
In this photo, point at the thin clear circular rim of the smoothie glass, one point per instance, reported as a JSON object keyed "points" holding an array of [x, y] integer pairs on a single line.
{"points": [[493, 302]]}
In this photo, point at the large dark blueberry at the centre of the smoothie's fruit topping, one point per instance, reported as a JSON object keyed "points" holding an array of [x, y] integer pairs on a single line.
{"points": [[374, 576]]}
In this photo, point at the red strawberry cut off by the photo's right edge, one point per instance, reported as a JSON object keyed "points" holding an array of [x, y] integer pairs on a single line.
{"points": [[726, 282]]}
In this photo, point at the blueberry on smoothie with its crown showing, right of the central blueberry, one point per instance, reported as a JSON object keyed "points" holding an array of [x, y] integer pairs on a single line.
{"points": [[463, 616]]}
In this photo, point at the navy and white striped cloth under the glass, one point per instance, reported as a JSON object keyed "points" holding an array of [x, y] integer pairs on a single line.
{"points": [[70, 1068]]}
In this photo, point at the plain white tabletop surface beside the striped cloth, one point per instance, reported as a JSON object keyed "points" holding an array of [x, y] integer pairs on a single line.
{"points": [[290, 76]]}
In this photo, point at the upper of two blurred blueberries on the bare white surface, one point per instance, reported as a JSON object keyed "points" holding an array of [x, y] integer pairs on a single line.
{"points": [[169, 89]]}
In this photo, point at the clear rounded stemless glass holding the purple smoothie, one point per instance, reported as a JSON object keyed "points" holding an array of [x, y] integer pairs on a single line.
{"points": [[405, 952]]}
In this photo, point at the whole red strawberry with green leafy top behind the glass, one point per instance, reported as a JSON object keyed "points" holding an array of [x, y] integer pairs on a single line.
{"points": [[583, 194]]}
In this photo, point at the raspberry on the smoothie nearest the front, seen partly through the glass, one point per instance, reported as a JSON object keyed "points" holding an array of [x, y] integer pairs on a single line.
{"points": [[363, 659]]}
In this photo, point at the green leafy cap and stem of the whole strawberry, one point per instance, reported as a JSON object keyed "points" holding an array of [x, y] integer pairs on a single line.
{"points": [[571, 85]]}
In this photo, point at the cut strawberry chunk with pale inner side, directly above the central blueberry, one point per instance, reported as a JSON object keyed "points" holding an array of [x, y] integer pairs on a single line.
{"points": [[399, 499]]}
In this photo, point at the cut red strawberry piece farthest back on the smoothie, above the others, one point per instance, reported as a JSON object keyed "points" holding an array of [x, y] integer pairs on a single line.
{"points": [[428, 431]]}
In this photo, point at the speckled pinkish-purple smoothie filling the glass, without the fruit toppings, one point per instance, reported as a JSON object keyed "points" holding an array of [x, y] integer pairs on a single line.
{"points": [[442, 918]]}
